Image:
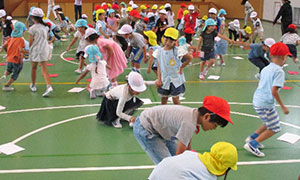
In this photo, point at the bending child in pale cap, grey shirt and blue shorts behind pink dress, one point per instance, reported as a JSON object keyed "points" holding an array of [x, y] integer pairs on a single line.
{"points": [[136, 51]]}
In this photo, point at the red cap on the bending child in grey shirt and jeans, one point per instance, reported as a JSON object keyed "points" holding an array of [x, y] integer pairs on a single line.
{"points": [[218, 106]]}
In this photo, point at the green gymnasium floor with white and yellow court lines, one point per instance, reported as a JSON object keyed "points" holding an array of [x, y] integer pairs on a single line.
{"points": [[62, 139]]}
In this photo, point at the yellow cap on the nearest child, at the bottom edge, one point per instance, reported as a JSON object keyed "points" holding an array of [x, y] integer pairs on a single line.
{"points": [[222, 156]]}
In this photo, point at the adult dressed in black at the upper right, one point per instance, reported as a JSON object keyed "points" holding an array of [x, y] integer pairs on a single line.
{"points": [[286, 15]]}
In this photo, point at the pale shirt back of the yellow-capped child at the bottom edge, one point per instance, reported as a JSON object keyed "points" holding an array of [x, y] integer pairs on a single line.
{"points": [[186, 166]]}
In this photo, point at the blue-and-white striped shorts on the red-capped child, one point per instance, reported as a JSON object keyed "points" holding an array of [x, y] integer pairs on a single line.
{"points": [[269, 117]]}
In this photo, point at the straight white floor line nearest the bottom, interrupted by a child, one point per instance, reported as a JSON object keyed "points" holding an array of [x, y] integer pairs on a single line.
{"points": [[142, 167]]}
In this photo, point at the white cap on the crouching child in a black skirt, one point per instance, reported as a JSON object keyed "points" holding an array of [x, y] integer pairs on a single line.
{"points": [[136, 82]]}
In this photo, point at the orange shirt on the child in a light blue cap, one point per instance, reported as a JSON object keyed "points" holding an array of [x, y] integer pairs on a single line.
{"points": [[13, 49]]}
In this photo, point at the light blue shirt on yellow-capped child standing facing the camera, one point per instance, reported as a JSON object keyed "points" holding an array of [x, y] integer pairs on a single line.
{"points": [[169, 67]]}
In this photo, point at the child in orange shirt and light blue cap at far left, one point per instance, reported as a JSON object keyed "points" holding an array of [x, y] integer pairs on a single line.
{"points": [[15, 52]]}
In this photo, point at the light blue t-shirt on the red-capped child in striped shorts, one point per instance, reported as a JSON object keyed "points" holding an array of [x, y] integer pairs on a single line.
{"points": [[272, 75]]}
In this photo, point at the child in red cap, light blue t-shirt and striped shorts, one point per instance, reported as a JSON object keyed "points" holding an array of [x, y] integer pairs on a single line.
{"points": [[272, 79]]}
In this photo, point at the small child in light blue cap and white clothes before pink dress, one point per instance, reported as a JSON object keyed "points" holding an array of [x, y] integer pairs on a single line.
{"points": [[100, 82]]}
